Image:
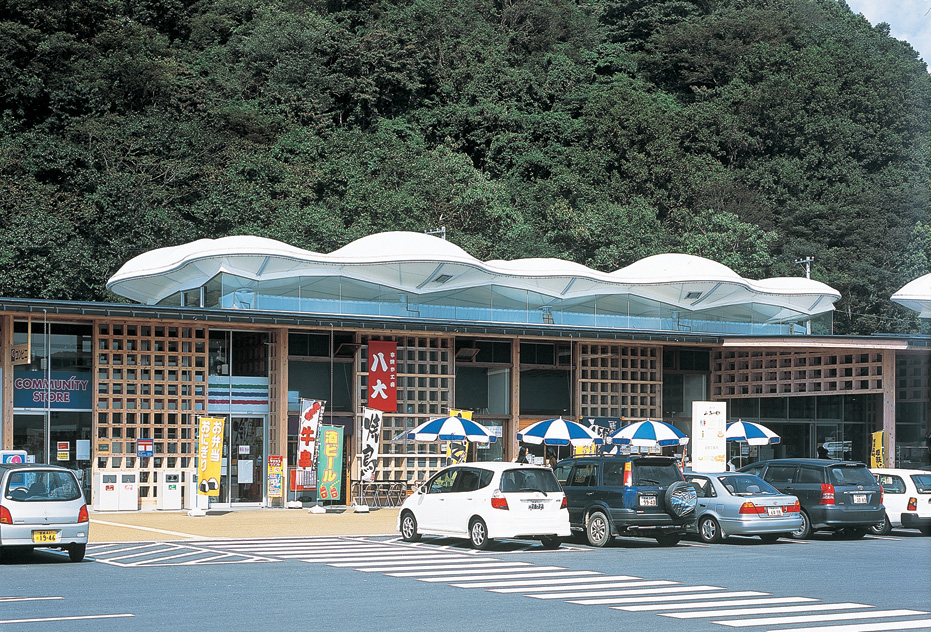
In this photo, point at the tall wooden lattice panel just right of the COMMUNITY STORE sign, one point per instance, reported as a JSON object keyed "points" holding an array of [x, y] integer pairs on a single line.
{"points": [[151, 384]]}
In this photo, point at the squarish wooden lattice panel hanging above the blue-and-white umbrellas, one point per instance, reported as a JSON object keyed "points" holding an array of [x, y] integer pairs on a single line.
{"points": [[620, 381]]}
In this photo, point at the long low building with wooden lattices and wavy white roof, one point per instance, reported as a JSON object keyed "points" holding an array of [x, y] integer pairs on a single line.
{"points": [[244, 327]]}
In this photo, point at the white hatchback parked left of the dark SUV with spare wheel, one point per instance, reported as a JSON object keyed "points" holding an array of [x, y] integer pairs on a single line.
{"points": [[484, 501]]}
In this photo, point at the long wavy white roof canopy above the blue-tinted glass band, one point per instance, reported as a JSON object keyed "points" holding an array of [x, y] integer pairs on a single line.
{"points": [[423, 264]]}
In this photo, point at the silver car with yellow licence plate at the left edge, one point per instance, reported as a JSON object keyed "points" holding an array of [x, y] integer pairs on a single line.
{"points": [[42, 506]]}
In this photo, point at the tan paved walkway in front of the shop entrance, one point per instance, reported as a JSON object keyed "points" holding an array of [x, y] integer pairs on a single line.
{"points": [[144, 526]]}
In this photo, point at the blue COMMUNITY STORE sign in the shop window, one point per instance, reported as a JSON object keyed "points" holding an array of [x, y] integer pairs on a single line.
{"points": [[58, 389]]}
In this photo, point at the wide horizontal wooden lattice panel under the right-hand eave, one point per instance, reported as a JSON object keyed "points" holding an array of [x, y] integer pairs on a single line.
{"points": [[761, 372]]}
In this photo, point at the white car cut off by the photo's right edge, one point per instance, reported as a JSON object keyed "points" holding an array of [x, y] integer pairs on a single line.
{"points": [[907, 498]]}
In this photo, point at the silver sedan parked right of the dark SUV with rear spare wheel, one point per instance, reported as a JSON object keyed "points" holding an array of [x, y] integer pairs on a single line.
{"points": [[735, 503]]}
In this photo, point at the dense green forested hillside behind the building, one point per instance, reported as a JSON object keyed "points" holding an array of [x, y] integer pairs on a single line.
{"points": [[751, 132]]}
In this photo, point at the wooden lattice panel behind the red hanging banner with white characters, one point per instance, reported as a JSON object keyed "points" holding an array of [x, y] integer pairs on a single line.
{"points": [[425, 390]]}
